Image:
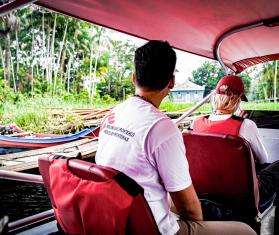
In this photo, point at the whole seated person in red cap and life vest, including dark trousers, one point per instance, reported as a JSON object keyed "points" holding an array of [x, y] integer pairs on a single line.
{"points": [[225, 102]]}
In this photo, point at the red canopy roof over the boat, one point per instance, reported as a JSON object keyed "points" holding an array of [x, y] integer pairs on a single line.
{"points": [[212, 28]]}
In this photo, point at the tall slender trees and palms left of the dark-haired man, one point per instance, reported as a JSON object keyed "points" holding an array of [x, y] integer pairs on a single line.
{"points": [[51, 54]]}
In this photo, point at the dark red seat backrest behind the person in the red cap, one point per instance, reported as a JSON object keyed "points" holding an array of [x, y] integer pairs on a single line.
{"points": [[222, 167]]}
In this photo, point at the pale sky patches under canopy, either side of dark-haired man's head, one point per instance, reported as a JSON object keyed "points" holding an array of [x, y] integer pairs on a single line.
{"points": [[186, 62]]}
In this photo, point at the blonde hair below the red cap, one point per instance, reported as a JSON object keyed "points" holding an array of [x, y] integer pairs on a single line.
{"points": [[225, 104]]}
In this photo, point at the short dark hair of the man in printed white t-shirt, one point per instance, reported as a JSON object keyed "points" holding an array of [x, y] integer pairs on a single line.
{"points": [[154, 64]]}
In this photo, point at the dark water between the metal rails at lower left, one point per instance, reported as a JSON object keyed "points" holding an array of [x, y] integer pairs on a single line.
{"points": [[19, 199]]}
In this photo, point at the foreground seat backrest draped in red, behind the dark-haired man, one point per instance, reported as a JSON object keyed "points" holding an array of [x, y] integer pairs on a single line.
{"points": [[91, 199]]}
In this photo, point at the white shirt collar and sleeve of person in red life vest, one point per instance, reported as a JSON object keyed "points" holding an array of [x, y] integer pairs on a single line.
{"points": [[250, 132]]}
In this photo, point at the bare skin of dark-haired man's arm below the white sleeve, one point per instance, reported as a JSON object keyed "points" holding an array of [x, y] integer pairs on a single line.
{"points": [[187, 204]]}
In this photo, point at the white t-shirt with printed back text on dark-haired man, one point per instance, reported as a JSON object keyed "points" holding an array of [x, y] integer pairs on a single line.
{"points": [[142, 142]]}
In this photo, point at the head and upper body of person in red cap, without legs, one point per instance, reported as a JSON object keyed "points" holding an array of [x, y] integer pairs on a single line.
{"points": [[225, 102]]}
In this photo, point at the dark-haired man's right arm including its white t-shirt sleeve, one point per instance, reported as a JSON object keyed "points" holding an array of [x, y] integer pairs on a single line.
{"points": [[168, 156]]}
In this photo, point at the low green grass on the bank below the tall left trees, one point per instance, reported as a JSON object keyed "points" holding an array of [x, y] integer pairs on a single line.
{"points": [[39, 114]]}
